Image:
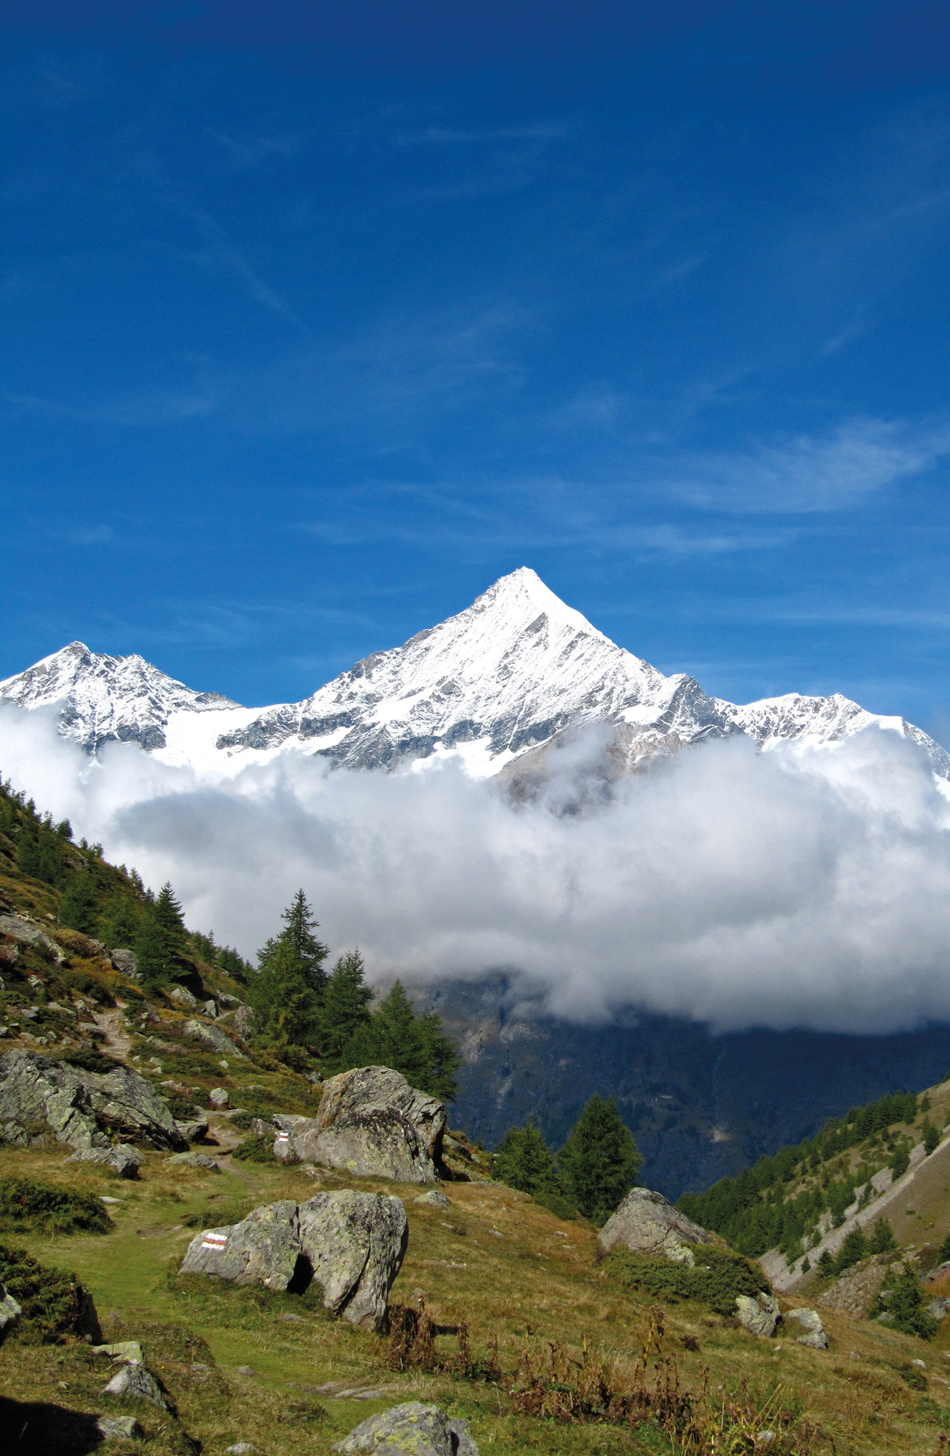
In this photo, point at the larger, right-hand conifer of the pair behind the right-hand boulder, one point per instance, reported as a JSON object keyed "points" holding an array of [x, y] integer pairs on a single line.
{"points": [[600, 1161]]}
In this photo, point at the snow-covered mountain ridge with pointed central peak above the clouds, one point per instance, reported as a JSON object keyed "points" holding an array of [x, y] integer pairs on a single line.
{"points": [[499, 685]]}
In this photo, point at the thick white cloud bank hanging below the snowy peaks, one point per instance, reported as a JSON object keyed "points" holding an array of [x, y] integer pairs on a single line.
{"points": [[729, 886]]}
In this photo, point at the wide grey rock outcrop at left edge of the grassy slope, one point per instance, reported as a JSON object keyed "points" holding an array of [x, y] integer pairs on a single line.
{"points": [[81, 1109]]}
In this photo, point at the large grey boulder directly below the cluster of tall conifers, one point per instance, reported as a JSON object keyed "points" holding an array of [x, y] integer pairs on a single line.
{"points": [[371, 1123]]}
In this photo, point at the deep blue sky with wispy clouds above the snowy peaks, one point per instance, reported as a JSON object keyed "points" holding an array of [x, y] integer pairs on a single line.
{"points": [[320, 320]]}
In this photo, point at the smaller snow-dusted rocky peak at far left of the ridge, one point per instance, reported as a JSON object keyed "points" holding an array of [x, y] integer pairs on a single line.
{"points": [[107, 698]]}
